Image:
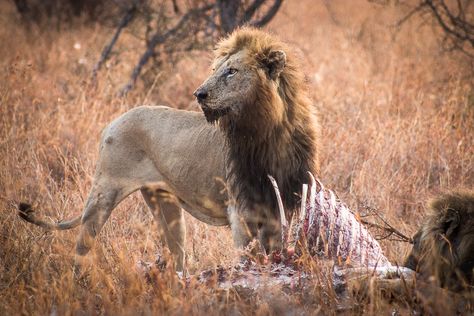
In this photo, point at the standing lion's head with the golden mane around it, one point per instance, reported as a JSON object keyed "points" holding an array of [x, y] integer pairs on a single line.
{"points": [[254, 79]]}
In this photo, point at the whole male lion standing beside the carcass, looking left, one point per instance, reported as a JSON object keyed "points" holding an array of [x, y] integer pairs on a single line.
{"points": [[265, 125]]}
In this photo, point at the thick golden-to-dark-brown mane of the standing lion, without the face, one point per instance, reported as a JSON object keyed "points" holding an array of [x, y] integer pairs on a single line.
{"points": [[278, 133]]}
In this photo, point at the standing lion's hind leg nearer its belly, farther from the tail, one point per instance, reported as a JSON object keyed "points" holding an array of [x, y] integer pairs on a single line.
{"points": [[170, 216]]}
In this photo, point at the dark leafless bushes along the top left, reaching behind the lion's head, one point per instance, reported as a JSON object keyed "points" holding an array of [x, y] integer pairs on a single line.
{"points": [[181, 25]]}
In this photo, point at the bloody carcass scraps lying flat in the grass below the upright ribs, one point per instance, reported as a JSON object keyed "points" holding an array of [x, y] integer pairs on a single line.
{"points": [[249, 278]]}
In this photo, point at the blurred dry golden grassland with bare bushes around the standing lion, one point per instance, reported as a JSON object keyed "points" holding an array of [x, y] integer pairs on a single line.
{"points": [[391, 79]]}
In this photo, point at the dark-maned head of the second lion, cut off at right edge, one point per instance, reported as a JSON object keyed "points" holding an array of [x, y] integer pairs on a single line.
{"points": [[444, 246]]}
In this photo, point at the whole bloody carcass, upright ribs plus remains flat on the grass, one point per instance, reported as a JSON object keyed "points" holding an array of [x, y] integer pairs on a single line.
{"points": [[332, 232]]}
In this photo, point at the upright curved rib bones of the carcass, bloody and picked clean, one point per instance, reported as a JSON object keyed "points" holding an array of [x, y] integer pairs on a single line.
{"points": [[332, 230]]}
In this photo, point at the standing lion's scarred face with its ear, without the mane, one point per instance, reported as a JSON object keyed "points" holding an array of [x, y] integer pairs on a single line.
{"points": [[236, 83]]}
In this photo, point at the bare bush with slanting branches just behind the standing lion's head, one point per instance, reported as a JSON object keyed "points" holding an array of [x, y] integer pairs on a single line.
{"points": [[183, 27]]}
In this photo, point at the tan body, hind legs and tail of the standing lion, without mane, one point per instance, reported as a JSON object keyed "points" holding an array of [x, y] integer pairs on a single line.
{"points": [[174, 157]]}
